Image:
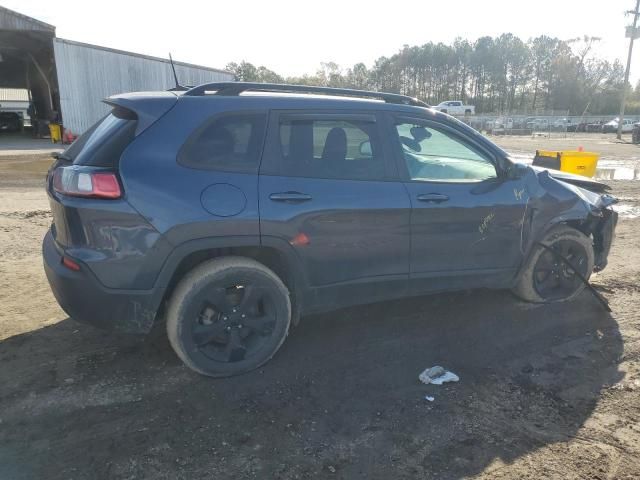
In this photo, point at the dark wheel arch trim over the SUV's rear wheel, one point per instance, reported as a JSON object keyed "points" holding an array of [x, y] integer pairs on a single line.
{"points": [[268, 256]]}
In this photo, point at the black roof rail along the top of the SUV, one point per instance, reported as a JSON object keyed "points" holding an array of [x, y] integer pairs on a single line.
{"points": [[236, 88]]}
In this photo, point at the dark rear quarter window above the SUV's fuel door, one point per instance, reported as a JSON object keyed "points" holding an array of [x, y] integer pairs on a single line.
{"points": [[230, 143]]}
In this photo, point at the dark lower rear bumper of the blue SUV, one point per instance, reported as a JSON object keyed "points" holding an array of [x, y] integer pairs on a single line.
{"points": [[86, 300]]}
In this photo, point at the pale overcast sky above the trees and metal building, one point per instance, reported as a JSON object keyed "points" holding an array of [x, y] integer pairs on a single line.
{"points": [[293, 37]]}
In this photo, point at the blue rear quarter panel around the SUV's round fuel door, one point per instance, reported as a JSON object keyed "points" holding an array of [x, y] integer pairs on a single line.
{"points": [[168, 194]]}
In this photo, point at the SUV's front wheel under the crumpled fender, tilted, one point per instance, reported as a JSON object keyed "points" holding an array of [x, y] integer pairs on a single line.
{"points": [[544, 278]]}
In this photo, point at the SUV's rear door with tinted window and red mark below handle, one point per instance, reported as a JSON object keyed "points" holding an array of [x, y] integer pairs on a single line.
{"points": [[329, 187]]}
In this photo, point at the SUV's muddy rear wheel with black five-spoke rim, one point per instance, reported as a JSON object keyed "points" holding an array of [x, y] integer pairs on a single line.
{"points": [[228, 316]]}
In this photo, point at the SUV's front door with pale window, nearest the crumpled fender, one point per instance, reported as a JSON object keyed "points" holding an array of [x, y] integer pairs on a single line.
{"points": [[466, 218]]}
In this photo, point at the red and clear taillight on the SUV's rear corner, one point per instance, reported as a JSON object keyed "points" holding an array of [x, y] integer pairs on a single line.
{"points": [[82, 183]]}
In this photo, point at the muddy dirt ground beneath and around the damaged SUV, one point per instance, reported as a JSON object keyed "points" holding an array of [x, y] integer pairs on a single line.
{"points": [[545, 391]]}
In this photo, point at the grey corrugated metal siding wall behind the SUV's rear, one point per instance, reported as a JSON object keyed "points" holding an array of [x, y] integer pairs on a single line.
{"points": [[87, 75]]}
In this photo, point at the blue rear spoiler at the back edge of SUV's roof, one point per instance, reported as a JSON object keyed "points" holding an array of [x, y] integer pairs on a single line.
{"points": [[147, 106]]}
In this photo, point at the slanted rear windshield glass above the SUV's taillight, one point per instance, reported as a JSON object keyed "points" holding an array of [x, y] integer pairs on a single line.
{"points": [[103, 144]]}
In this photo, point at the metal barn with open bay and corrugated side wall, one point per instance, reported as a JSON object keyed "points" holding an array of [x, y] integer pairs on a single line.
{"points": [[67, 80]]}
